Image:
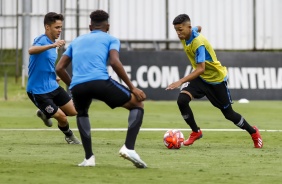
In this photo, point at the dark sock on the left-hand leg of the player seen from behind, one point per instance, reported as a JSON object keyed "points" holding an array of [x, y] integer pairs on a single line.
{"points": [[84, 128]]}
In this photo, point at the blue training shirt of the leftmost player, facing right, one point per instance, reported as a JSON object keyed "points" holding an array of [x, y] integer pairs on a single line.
{"points": [[41, 68]]}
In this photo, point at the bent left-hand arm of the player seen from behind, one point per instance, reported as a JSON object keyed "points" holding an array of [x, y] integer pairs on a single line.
{"points": [[61, 69]]}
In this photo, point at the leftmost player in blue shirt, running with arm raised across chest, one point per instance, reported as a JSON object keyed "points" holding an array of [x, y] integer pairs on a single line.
{"points": [[42, 86]]}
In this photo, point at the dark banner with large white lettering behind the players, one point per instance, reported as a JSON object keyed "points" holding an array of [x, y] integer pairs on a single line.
{"points": [[252, 75]]}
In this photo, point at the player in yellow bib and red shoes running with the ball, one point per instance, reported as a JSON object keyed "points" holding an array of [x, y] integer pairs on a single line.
{"points": [[209, 78]]}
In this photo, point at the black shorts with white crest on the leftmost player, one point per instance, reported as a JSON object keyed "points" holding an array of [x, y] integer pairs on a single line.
{"points": [[49, 103]]}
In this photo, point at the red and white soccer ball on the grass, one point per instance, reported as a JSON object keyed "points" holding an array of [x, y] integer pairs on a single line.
{"points": [[173, 139]]}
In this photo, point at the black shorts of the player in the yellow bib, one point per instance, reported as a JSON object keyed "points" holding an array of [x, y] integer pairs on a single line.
{"points": [[218, 94]]}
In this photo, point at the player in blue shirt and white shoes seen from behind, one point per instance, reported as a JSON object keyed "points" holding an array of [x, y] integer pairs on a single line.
{"points": [[89, 55]]}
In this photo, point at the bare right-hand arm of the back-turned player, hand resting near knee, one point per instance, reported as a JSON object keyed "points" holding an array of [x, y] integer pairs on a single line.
{"points": [[118, 68]]}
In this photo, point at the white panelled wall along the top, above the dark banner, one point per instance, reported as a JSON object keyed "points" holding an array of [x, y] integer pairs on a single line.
{"points": [[228, 24]]}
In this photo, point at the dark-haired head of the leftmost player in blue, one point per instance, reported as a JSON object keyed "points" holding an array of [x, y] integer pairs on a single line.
{"points": [[53, 23]]}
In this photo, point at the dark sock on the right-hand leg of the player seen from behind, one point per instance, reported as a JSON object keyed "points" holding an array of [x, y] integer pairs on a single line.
{"points": [[135, 119]]}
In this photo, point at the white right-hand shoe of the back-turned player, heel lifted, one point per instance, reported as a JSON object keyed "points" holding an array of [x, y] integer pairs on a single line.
{"points": [[132, 156]]}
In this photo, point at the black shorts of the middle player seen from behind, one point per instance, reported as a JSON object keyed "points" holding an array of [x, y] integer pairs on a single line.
{"points": [[109, 91]]}
